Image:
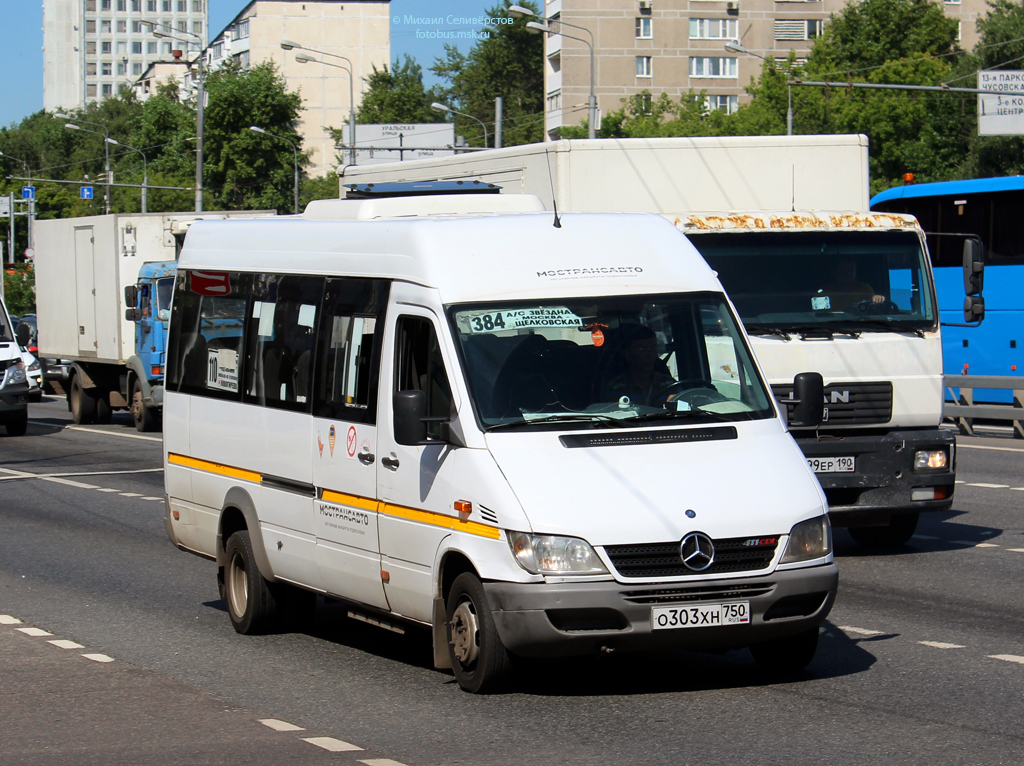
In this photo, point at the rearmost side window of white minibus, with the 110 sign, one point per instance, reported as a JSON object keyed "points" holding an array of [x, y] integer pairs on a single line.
{"points": [[205, 348]]}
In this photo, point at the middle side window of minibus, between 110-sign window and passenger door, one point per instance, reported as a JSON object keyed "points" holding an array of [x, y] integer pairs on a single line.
{"points": [[280, 341]]}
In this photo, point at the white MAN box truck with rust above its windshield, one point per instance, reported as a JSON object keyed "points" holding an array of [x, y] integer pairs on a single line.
{"points": [[755, 207]]}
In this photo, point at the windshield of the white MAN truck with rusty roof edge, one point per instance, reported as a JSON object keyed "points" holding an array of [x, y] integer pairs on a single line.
{"points": [[830, 281]]}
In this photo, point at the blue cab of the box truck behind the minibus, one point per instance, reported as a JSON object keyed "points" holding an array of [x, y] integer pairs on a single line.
{"points": [[149, 305]]}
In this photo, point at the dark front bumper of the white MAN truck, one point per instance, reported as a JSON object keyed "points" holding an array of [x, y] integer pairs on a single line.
{"points": [[885, 481]]}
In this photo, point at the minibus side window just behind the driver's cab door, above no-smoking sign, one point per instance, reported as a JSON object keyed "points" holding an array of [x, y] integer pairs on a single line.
{"points": [[349, 350]]}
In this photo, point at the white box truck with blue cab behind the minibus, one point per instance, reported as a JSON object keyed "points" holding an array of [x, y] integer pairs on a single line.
{"points": [[103, 292]]}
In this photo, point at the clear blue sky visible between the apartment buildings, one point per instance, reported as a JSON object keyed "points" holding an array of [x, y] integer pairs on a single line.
{"points": [[22, 41]]}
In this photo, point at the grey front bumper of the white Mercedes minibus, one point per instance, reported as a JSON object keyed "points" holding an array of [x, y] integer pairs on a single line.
{"points": [[568, 619]]}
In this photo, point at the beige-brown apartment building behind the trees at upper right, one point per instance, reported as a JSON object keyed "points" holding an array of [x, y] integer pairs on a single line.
{"points": [[673, 47]]}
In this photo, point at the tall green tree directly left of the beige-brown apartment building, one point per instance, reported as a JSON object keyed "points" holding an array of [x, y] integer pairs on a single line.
{"points": [[508, 62]]}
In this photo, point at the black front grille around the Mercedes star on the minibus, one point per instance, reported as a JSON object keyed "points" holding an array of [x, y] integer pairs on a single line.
{"points": [[664, 561]]}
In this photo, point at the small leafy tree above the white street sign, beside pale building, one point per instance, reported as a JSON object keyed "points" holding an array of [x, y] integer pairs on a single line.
{"points": [[398, 97]]}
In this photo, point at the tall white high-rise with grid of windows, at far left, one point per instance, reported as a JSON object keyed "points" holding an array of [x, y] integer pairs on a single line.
{"points": [[93, 48]]}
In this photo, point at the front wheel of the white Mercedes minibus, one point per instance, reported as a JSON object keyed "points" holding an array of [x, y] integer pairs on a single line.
{"points": [[481, 663]]}
